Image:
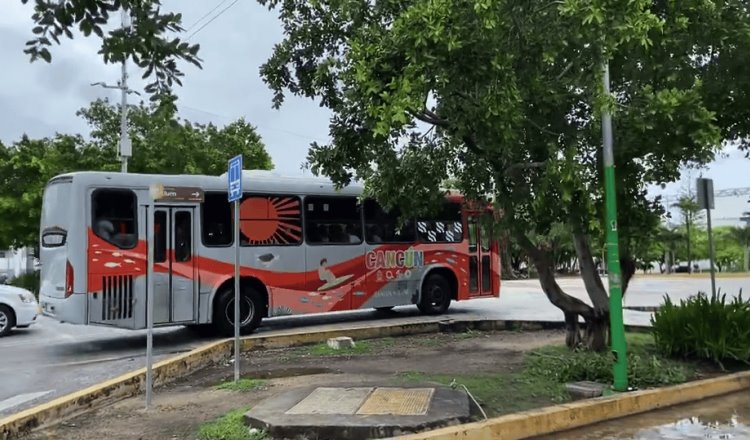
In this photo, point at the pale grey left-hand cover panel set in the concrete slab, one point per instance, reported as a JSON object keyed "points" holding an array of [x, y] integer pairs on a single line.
{"points": [[331, 401]]}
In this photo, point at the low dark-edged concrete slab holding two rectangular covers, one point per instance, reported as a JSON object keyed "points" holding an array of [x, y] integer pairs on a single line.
{"points": [[316, 412]]}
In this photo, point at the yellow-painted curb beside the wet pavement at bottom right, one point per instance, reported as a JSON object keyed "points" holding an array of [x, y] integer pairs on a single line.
{"points": [[559, 418]]}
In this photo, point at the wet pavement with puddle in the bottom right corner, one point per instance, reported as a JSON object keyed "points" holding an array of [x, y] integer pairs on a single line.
{"points": [[726, 417]]}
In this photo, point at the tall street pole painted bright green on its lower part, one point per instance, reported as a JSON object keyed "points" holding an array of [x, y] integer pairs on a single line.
{"points": [[617, 327]]}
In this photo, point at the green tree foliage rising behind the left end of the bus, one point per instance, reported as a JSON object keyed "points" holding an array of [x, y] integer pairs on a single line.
{"points": [[162, 144]]}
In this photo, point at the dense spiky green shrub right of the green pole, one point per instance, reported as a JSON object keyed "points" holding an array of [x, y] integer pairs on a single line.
{"points": [[704, 327]]}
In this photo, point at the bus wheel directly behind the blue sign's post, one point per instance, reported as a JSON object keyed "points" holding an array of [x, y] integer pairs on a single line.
{"points": [[224, 311]]}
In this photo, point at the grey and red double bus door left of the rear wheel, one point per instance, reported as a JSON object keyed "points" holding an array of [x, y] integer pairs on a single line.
{"points": [[175, 288]]}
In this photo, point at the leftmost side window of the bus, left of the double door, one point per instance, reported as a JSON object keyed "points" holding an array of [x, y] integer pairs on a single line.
{"points": [[114, 216]]}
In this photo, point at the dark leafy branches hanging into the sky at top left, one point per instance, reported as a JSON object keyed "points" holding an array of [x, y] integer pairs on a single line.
{"points": [[150, 42]]}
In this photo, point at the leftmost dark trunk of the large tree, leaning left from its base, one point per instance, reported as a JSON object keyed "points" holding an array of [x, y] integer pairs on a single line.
{"points": [[572, 307]]}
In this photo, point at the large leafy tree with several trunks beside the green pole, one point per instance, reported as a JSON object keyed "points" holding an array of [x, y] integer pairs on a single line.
{"points": [[505, 97]]}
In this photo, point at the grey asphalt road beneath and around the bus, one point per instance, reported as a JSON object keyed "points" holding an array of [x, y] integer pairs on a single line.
{"points": [[52, 359]]}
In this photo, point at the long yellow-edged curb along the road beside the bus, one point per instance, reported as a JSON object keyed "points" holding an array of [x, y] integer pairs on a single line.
{"points": [[168, 370]]}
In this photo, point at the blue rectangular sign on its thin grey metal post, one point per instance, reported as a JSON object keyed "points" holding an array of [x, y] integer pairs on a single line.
{"points": [[234, 191]]}
